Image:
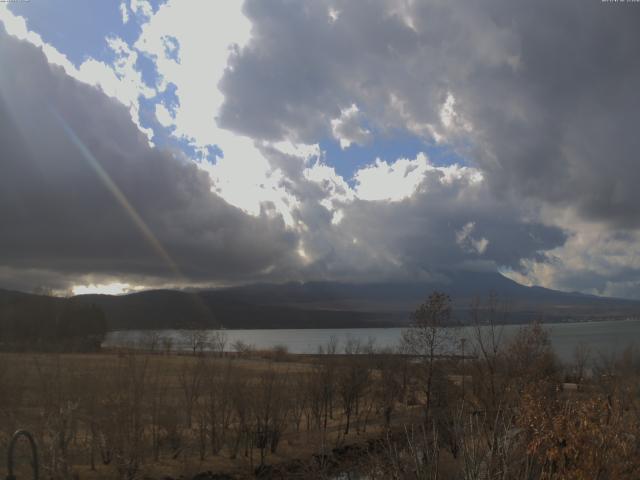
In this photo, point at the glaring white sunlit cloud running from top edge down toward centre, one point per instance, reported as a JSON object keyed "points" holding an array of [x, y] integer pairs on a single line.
{"points": [[243, 177]]}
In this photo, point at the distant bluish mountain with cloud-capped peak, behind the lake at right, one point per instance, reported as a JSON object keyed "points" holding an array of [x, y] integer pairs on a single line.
{"points": [[394, 301]]}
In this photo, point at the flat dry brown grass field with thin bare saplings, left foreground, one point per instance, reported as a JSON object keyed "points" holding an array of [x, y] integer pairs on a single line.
{"points": [[133, 414]]}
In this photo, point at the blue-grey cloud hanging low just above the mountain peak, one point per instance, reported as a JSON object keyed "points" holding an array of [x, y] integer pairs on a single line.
{"points": [[424, 232]]}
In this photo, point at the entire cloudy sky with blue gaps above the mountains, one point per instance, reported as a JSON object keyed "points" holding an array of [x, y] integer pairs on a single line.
{"points": [[200, 144]]}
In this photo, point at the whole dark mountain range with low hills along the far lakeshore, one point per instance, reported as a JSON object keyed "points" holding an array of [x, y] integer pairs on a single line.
{"points": [[337, 304]]}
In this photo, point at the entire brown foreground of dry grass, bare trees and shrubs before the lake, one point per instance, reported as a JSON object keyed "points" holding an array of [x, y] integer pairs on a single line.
{"points": [[504, 408]]}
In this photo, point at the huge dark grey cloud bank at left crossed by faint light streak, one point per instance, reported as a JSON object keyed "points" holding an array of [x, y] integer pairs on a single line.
{"points": [[59, 215]]}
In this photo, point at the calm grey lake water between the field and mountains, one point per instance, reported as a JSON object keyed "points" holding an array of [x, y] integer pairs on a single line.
{"points": [[606, 337]]}
